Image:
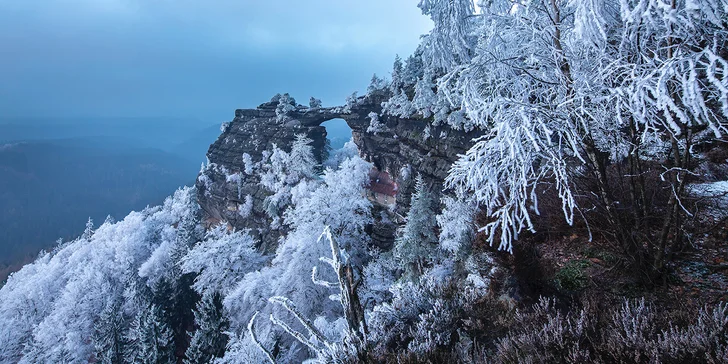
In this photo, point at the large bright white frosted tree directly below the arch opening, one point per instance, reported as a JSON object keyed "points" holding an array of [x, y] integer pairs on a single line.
{"points": [[337, 201]]}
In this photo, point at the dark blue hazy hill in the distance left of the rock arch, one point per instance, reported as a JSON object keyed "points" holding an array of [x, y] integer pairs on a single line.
{"points": [[49, 188]]}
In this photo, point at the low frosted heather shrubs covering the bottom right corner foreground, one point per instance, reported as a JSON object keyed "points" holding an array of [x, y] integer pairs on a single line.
{"points": [[634, 332]]}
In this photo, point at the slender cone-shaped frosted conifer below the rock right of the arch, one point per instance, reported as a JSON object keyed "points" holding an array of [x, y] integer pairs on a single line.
{"points": [[416, 241]]}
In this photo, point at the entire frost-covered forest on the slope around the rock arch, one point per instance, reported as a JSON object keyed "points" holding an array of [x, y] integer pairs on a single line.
{"points": [[585, 222]]}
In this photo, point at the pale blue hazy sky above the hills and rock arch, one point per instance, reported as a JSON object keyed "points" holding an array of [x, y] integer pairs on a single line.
{"points": [[192, 58]]}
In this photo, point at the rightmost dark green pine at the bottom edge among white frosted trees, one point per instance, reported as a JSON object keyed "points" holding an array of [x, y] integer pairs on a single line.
{"points": [[209, 340]]}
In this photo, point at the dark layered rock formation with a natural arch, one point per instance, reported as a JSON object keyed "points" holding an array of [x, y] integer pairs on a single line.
{"points": [[403, 149]]}
